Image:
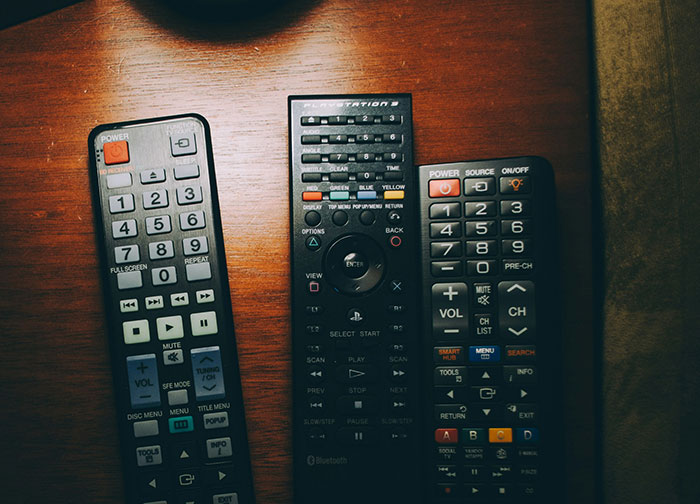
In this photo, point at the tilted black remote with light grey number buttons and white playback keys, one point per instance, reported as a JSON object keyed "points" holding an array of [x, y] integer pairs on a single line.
{"points": [[179, 403]]}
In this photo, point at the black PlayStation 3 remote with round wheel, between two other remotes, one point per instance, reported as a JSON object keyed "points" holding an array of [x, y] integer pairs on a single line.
{"points": [[354, 300]]}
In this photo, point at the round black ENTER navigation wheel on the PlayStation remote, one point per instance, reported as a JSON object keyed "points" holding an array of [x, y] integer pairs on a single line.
{"points": [[354, 264]]}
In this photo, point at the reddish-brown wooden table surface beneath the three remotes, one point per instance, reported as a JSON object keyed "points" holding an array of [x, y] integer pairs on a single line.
{"points": [[489, 79]]}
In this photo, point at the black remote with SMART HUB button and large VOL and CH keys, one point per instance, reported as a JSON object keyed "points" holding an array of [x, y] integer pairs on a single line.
{"points": [[491, 340]]}
